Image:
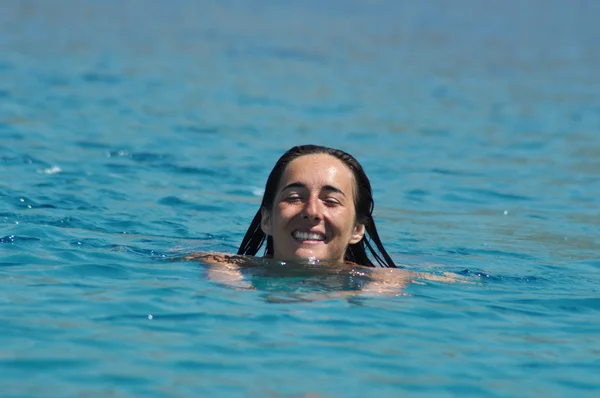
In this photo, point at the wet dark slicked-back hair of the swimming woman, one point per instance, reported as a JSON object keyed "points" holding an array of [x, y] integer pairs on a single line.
{"points": [[364, 204]]}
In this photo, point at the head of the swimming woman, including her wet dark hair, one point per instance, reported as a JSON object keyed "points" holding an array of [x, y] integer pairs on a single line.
{"points": [[317, 204]]}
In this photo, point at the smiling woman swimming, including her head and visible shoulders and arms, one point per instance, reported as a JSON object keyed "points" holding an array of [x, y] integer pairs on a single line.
{"points": [[317, 209]]}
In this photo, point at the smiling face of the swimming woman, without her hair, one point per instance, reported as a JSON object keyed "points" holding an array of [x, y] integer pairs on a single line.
{"points": [[313, 214]]}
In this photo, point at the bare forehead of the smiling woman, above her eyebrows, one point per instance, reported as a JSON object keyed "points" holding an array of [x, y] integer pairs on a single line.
{"points": [[318, 169]]}
